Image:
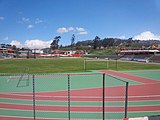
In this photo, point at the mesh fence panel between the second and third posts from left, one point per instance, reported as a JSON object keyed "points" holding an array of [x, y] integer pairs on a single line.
{"points": [[86, 96]]}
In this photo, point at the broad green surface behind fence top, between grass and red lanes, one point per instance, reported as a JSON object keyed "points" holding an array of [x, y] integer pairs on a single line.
{"points": [[44, 83]]}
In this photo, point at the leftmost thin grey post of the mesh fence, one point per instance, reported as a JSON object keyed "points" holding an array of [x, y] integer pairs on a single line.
{"points": [[34, 105]]}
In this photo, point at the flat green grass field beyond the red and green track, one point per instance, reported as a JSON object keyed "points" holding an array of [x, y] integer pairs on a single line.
{"points": [[66, 65]]}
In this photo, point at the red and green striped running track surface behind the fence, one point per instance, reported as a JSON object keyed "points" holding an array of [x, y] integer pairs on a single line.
{"points": [[79, 96]]}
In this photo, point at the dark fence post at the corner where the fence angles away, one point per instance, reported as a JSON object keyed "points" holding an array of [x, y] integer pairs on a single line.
{"points": [[103, 101]]}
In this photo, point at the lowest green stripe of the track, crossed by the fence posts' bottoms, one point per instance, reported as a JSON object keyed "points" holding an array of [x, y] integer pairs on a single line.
{"points": [[73, 115]]}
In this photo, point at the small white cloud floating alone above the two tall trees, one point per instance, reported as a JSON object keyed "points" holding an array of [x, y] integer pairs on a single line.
{"points": [[78, 30]]}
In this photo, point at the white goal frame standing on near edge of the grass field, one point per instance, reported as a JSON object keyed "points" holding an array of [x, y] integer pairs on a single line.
{"points": [[105, 63]]}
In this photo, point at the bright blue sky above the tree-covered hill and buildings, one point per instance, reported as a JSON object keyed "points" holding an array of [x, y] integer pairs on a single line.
{"points": [[35, 23]]}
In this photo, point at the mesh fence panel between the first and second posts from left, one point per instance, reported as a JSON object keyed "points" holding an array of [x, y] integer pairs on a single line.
{"points": [[51, 96]]}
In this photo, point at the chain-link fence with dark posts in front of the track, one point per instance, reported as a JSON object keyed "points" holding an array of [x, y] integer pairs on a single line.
{"points": [[63, 97]]}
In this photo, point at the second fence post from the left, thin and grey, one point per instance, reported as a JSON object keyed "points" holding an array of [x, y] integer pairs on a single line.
{"points": [[69, 102]]}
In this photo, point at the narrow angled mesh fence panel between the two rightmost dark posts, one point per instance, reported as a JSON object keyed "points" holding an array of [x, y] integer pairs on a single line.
{"points": [[115, 98]]}
